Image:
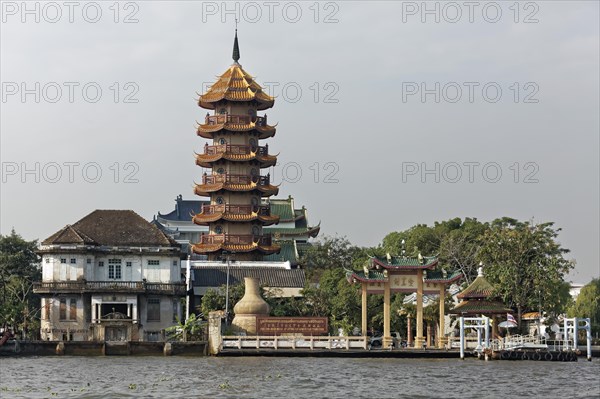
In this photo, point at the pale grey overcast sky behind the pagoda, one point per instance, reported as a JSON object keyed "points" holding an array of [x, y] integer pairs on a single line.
{"points": [[389, 114]]}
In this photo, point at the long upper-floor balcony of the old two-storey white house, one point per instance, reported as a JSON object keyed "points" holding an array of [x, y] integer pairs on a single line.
{"points": [[83, 286]]}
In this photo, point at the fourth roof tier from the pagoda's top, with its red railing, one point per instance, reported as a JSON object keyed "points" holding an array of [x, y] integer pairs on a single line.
{"points": [[238, 183]]}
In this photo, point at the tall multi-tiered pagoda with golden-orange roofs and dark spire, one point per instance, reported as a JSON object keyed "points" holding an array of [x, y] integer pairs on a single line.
{"points": [[236, 214]]}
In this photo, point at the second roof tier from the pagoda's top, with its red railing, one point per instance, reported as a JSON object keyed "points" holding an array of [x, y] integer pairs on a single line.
{"points": [[236, 123]]}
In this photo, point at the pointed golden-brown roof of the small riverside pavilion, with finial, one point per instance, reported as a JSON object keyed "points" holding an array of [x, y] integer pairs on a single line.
{"points": [[478, 298]]}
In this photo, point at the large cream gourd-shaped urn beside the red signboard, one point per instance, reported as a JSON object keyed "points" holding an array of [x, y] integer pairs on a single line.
{"points": [[249, 307]]}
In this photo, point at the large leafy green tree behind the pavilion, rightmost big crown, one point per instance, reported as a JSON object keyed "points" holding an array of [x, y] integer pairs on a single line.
{"points": [[526, 264]]}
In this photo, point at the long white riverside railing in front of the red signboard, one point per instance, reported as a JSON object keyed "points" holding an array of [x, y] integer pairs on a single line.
{"points": [[284, 342]]}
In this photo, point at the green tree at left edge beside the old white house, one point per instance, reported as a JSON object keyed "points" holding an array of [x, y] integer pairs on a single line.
{"points": [[19, 269]]}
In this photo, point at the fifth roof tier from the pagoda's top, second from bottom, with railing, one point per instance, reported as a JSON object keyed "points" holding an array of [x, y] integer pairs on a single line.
{"points": [[235, 213]]}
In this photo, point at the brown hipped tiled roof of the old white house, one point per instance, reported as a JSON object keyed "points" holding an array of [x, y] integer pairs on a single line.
{"points": [[111, 227]]}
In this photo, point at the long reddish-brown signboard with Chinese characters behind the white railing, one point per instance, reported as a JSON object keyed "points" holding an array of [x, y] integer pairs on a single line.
{"points": [[291, 325]]}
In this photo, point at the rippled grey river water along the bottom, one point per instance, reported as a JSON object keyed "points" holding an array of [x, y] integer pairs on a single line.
{"points": [[261, 377]]}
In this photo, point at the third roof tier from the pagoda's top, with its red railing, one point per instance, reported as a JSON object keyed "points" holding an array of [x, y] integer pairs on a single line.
{"points": [[235, 153]]}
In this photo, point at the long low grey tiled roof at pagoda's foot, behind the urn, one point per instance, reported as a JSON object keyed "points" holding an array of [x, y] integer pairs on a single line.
{"points": [[268, 276]]}
